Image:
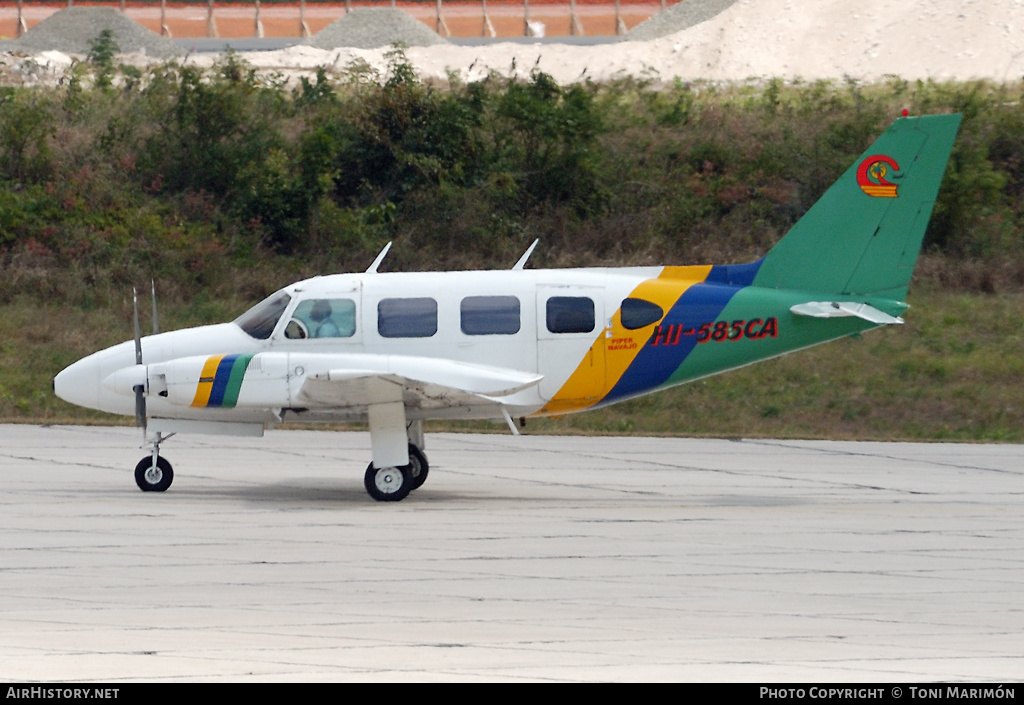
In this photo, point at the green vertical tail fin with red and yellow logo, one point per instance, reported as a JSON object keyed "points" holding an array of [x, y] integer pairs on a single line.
{"points": [[864, 236]]}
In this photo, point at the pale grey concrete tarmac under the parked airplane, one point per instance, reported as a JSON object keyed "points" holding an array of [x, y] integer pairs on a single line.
{"points": [[521, 559]]}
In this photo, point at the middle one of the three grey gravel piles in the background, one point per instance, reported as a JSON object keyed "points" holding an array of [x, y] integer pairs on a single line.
{"points": [[373, 28]]}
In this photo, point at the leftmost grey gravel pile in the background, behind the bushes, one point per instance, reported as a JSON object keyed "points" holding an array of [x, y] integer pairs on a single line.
{"points": [[74, 29]]}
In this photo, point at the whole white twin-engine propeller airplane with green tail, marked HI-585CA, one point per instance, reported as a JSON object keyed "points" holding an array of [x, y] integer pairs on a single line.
{"points": [[398, 349]]}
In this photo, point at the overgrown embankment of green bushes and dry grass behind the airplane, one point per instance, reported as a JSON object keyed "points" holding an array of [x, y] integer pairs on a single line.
{"points": [[227, 186]]}
